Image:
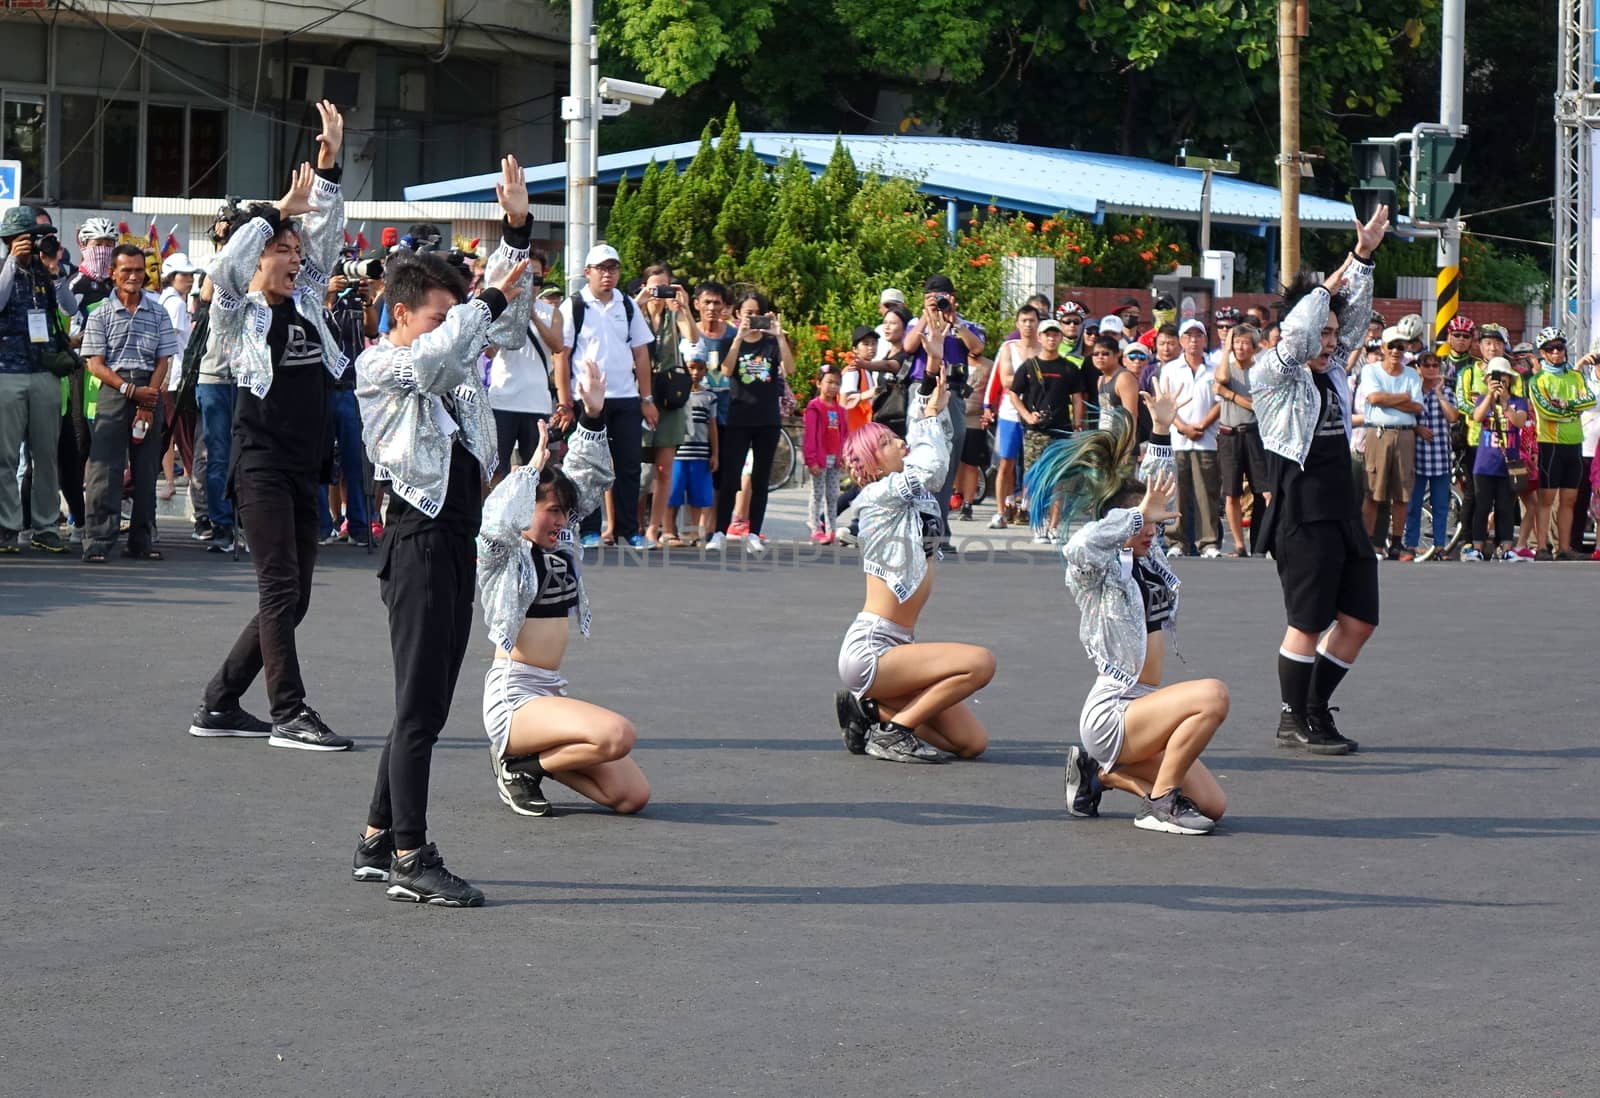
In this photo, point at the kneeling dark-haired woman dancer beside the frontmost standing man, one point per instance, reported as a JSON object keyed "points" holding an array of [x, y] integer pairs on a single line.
{"points": [[529, 583]]}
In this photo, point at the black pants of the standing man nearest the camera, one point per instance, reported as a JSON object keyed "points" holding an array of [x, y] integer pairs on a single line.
{"points": [[428, 585]]}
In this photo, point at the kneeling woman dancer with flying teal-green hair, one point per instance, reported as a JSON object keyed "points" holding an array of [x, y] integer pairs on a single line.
{"points": [[1145, 739]]}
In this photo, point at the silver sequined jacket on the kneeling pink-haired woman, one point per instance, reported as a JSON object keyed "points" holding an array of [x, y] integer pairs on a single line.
{"points": [[892, 510]]}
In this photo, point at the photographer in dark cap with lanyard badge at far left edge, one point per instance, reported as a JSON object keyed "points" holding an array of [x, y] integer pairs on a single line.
{"points": [[34, 295]]}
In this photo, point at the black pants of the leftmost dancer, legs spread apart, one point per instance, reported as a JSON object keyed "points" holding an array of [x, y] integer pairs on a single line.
{"points": [[278, 511]]}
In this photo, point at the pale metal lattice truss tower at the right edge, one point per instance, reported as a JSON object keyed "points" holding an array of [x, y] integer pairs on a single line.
{"points": [[1577, 124]]}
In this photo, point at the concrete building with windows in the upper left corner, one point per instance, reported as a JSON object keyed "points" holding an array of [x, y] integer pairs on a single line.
{"points": [[106, 102]]}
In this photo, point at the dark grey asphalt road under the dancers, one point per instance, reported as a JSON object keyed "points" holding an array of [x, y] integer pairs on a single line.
{"points": [[786, 920]]}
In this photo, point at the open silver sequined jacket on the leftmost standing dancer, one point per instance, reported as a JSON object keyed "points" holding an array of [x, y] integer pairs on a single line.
{"points": [[242, 318]]}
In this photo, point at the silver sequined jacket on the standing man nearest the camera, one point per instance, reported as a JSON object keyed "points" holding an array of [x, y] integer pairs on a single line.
{"points": [[399, 391]]}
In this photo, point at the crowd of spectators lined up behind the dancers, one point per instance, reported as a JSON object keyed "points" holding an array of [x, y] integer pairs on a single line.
{"points": [[1479, 452]]}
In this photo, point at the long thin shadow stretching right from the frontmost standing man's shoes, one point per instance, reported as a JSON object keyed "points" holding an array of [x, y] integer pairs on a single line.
{"points": [[1186, 899]]}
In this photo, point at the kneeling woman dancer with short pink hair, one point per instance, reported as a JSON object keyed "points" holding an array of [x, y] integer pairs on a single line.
{"points": [[905, 697]]}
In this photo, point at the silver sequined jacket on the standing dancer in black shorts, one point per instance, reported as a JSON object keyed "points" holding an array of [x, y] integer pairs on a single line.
{"points": [[1281, 387]]}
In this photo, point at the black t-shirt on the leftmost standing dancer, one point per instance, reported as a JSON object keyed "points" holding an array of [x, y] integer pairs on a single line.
{"points": [[289, 428]]}
